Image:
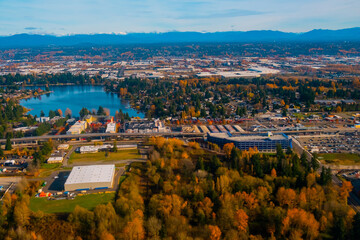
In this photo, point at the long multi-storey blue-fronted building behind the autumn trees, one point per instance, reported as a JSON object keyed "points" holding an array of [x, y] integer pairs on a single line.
{"points": [[263, 142]]}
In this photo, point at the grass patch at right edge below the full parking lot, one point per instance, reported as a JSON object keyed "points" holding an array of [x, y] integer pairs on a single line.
{"points": [[340, 158]]}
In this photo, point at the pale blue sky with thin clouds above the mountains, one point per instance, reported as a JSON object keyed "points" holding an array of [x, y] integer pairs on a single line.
{"points": [[118, 16]]}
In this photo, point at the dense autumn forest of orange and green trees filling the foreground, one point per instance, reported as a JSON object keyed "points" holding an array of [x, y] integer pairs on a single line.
{"points": [[185, 192]]}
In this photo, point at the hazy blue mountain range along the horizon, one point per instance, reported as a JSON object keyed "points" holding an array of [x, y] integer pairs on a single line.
{"points": [[30, 40]]}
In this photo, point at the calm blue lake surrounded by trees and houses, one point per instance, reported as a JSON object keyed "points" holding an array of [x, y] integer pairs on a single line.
{"points": [[75, 98]]}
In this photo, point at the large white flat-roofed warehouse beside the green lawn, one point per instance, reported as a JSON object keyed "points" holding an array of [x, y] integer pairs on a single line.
{"points": [[90, 177]]}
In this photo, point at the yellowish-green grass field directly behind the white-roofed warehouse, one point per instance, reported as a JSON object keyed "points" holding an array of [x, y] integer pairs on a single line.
{"points": [[100, 156]]}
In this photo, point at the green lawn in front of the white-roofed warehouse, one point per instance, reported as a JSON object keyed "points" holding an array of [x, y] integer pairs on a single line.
{"points": [[89, 201]]}
